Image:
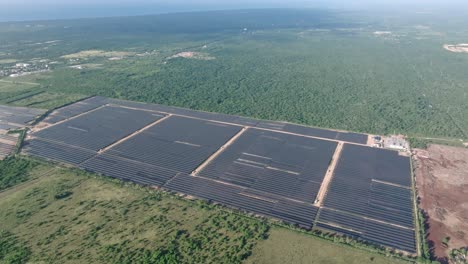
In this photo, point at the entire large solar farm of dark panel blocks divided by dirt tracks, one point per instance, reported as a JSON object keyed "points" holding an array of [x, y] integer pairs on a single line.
{"points": [[310, 177]]}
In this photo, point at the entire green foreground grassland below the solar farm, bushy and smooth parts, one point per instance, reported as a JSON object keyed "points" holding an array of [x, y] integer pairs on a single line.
{"points": [[60, 215]]}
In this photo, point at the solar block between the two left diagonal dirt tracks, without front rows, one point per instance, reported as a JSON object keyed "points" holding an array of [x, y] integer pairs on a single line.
{"points": [[177, 143]]}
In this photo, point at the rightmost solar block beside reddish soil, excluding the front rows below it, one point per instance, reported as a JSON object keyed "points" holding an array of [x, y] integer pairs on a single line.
{"points": [[356, 185]]}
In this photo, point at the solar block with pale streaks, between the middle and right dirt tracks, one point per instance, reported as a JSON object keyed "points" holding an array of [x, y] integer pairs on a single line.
{"points": [[275, 163]]}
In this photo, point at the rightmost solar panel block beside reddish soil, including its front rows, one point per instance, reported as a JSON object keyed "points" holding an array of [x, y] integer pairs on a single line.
{"points": [[370, 194]]}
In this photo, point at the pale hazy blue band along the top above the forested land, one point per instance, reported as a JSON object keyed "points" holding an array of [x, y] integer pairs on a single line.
{"points": [[55, 9]]}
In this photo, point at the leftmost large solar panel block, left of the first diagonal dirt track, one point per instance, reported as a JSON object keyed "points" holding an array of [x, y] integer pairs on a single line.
{"points": [[79, 139]]}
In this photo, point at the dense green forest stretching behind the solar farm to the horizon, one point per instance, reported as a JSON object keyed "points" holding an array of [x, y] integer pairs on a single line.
{"points": [[353, 71]]}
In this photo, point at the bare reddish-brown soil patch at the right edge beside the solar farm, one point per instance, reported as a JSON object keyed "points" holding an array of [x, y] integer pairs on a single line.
{"points": [[442, 184]]}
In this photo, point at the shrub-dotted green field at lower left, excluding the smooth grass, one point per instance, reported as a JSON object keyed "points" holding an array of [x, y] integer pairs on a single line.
{"points": [[69, 216]]}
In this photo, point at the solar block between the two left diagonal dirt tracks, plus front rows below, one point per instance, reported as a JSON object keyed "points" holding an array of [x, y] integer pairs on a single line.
{"points": [[175, 145]]}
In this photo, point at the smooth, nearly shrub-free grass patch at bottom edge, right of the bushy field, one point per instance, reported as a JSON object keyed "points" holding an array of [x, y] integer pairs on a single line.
{"points": [[285, 246]]}
